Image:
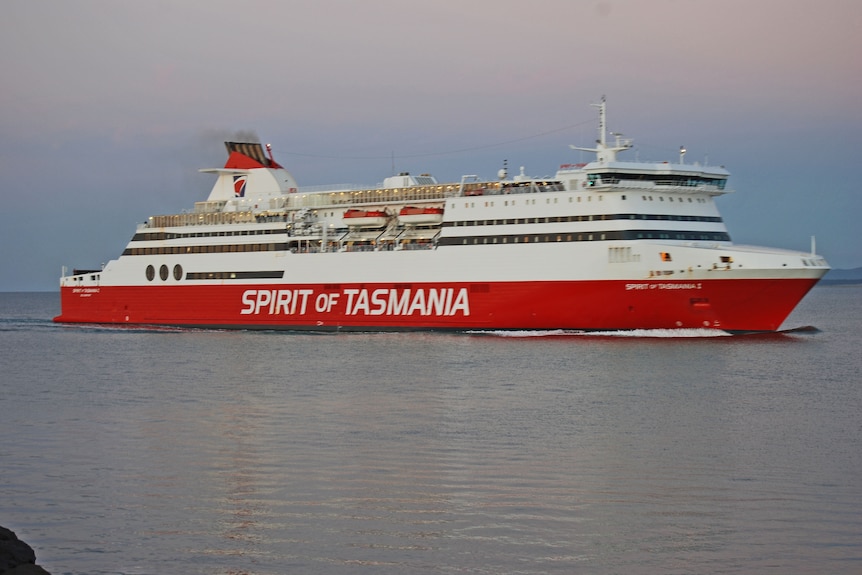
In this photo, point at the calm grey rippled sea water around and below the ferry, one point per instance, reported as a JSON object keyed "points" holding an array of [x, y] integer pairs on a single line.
{"points": [[135, 451]]}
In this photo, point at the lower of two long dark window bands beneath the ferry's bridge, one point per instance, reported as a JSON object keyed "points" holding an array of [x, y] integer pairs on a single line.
{"points": [[588, 237]]}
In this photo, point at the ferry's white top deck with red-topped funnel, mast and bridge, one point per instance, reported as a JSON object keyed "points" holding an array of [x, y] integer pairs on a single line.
{"points": [[252, 188]]}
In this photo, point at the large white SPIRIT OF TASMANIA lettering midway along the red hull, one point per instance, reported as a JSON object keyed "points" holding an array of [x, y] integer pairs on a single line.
{"points": [[359, 302]]}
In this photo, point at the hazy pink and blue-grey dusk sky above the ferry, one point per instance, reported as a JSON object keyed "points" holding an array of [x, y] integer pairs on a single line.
{"points": [[109, 108]]}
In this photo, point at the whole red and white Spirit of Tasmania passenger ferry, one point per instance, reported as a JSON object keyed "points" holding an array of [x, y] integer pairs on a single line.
{"points": [[606, 245]]}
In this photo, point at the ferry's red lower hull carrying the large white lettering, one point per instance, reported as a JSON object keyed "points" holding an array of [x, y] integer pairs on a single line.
{"points": [[731, 305]]}
